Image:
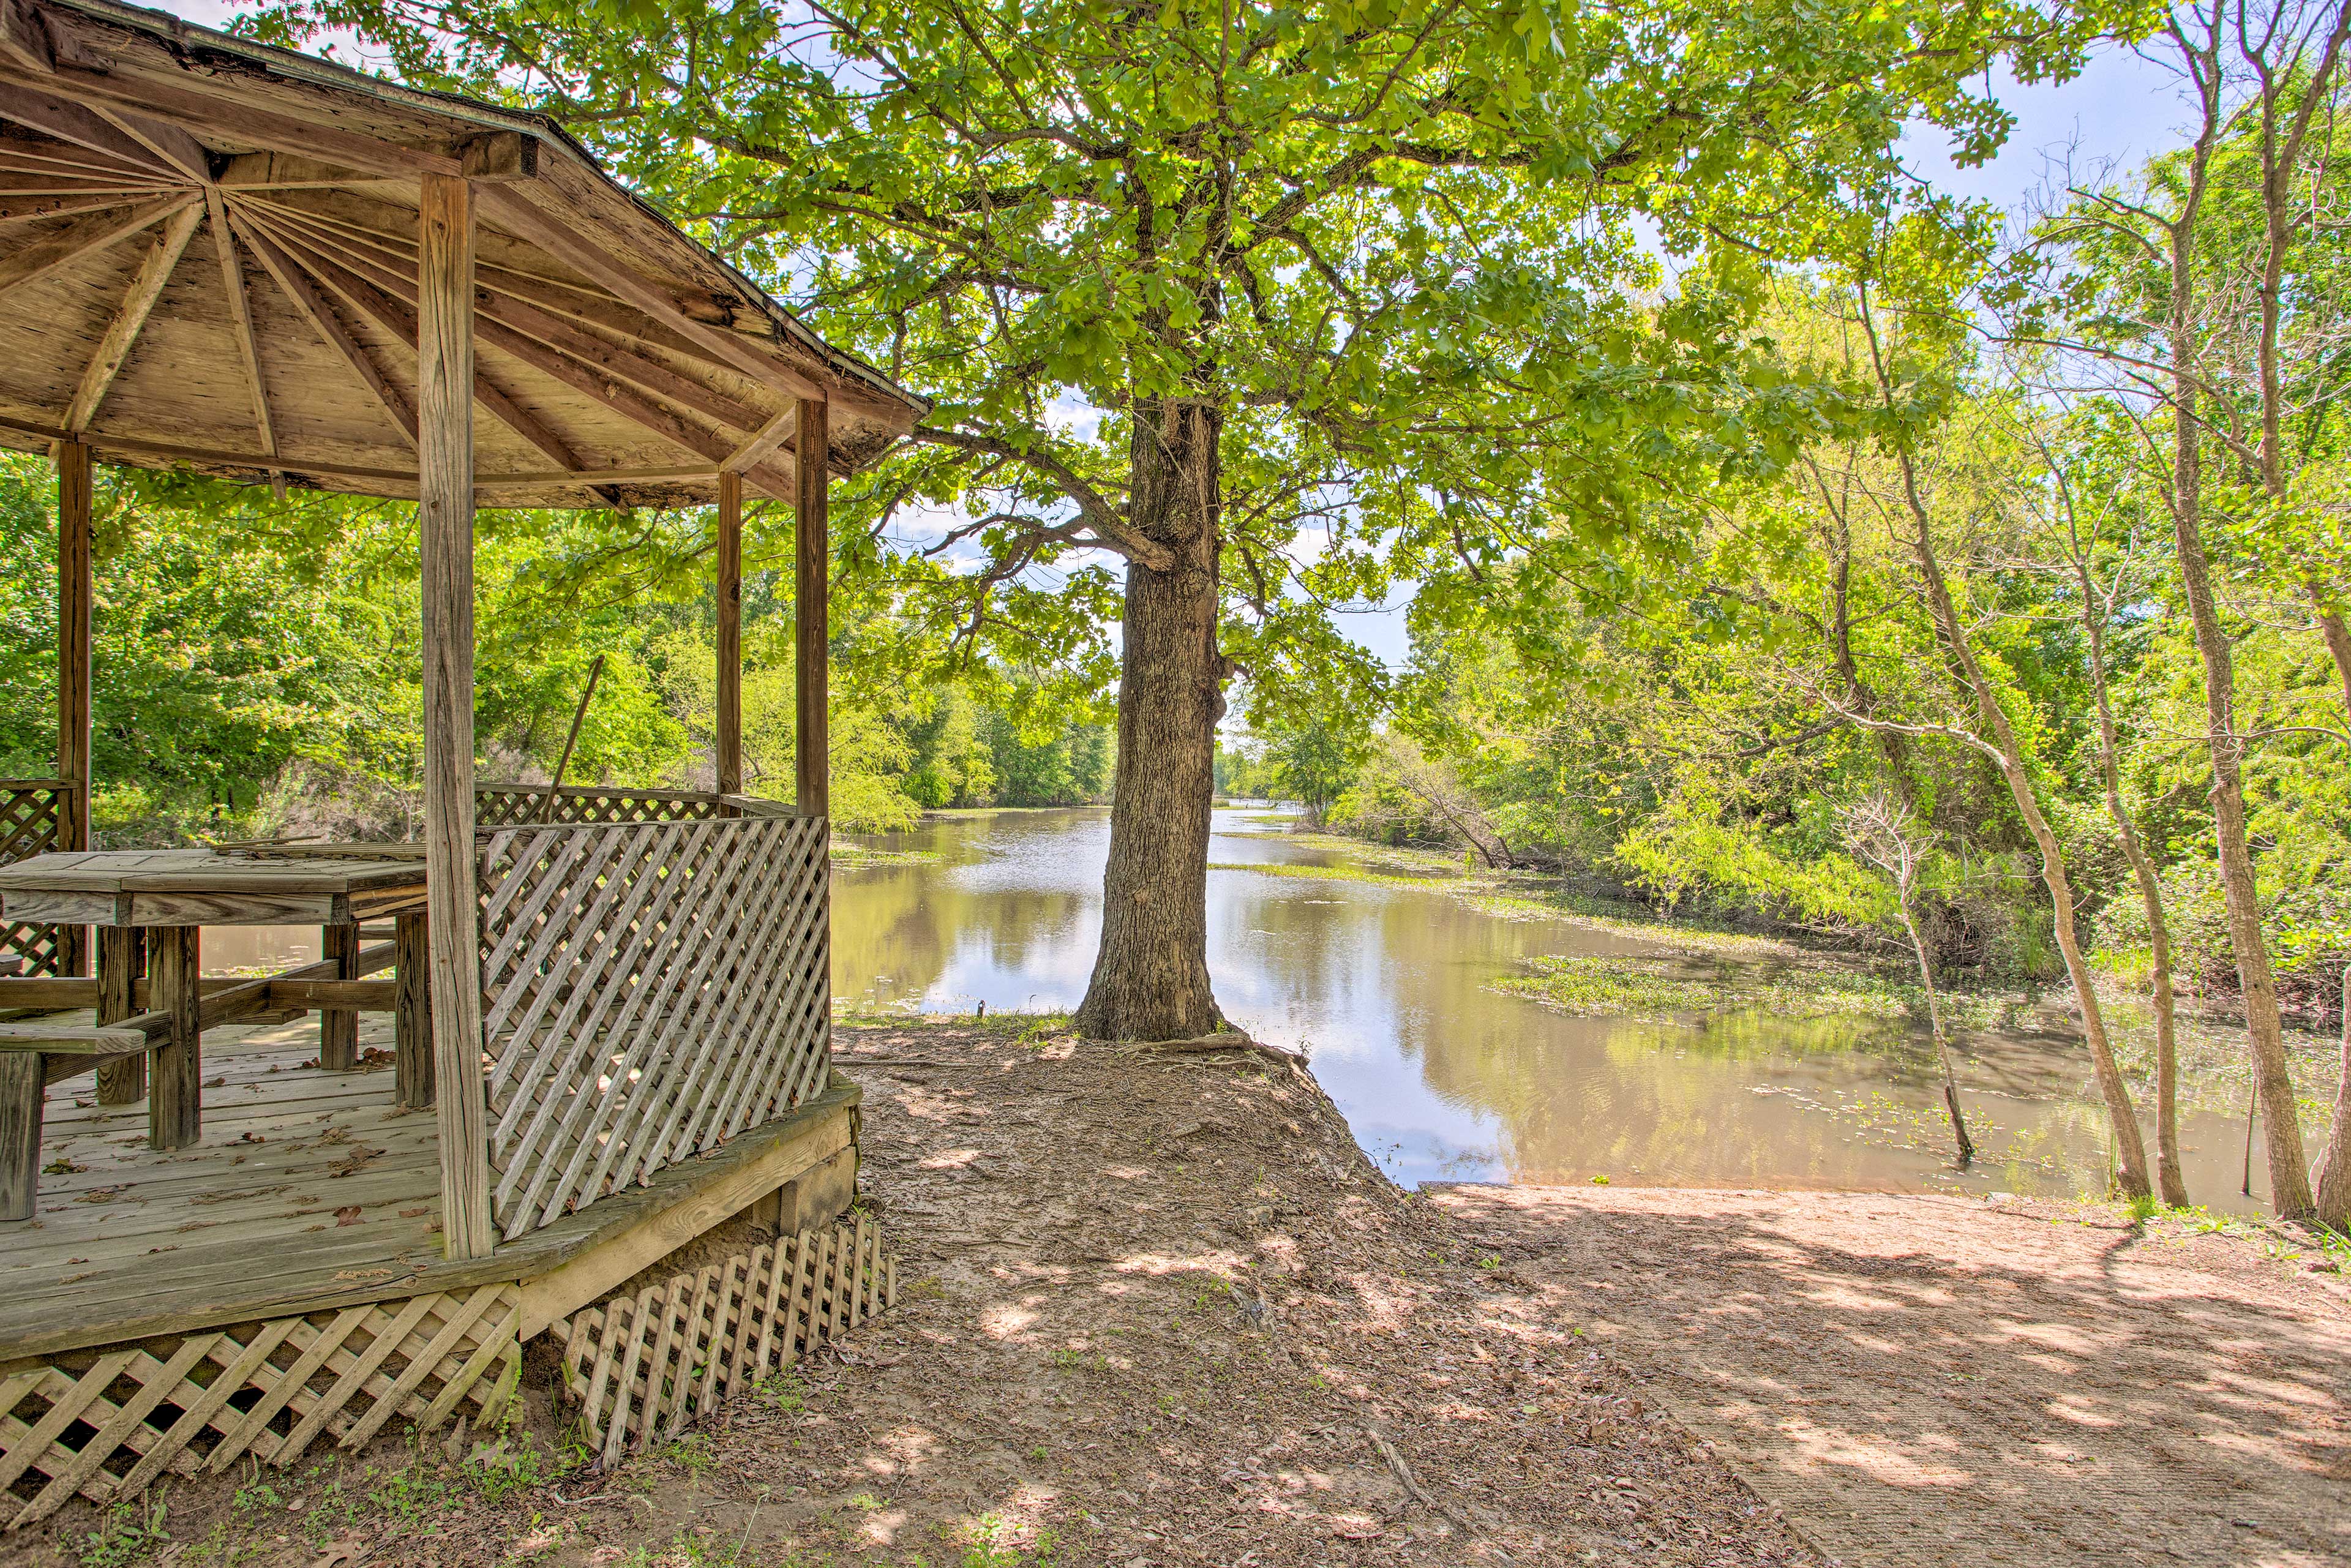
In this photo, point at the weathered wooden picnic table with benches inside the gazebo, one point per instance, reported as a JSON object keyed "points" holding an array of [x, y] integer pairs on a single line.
{"points": [[149, 909]]}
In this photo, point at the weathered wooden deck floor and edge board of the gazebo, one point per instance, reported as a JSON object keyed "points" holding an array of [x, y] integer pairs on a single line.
{"points": [[312, 1191]]}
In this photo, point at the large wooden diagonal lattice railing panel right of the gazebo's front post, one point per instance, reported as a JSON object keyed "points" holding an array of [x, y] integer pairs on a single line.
{"points": [[648, 993]]}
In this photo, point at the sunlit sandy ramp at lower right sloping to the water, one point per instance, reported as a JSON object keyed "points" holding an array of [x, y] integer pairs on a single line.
{"points": [[1905, 1374]]}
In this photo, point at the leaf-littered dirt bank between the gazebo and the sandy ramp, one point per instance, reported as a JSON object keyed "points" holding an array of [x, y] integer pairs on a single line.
{"points": [[1160, 1313]]}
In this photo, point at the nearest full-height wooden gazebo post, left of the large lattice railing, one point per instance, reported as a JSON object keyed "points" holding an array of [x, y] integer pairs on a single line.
{"points": [[446, 528]]}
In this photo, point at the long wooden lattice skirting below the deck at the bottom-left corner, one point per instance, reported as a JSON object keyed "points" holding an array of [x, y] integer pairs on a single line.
{"points": [[107, 1423]]}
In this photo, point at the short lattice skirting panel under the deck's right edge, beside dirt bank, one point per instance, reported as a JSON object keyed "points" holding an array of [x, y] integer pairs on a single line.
{"points": [[643, 1365]]}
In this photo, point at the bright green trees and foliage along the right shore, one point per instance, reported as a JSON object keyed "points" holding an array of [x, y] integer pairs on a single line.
{"points": [[1694, 735]]}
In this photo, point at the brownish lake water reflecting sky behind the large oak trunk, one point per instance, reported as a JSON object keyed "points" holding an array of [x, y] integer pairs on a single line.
{"points": [[1447, 1080]]}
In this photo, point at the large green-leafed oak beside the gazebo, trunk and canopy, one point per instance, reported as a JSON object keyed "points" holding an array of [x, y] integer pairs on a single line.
{"points": [[1198, 281]]}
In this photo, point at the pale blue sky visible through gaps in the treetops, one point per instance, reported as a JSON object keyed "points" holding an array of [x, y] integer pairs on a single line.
{"points": [[2117, 112]]}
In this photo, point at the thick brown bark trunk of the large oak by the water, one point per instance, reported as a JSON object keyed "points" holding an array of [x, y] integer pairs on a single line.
{"points": [[1151, 974]]}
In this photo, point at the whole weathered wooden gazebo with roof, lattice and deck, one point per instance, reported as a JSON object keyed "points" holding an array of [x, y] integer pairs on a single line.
{"points": [[262, 267]]}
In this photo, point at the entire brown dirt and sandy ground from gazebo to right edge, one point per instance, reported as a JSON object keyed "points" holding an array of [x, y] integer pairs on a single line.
{"points": [[1163, 1313]]}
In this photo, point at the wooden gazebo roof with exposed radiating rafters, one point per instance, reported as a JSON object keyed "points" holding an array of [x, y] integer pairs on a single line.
{"points": [[208, 260]]}
